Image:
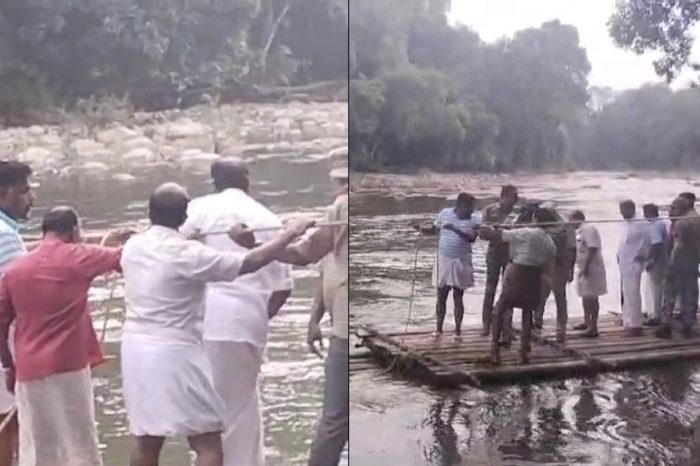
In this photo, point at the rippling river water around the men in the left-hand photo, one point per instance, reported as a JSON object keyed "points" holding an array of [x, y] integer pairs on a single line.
{"points": [[292, 378]]}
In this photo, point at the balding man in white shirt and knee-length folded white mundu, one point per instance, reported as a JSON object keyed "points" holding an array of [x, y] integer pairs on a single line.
{"points": [[167, 380]]}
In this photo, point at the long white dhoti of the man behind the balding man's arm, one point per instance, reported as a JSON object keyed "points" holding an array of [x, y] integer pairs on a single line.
{"points": [[236, 367]]}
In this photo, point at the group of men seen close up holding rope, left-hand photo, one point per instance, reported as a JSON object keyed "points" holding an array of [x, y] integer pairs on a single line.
{"points": [[198, 305]]}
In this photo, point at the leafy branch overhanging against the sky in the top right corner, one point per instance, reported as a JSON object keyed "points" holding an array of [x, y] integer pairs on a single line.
{"points": [[657, 25]]}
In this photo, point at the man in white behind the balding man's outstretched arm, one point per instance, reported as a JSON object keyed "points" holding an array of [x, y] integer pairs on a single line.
{"points": [[237, 313]]}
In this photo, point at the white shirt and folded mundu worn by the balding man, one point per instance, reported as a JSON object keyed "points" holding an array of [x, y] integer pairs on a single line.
{"points": [[168, 386]]}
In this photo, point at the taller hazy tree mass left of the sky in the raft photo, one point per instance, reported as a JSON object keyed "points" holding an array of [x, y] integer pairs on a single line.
{"points": [[427, 94]]}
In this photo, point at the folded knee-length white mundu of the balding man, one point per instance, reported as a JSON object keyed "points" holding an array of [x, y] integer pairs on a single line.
{"points": [[168, 388]]}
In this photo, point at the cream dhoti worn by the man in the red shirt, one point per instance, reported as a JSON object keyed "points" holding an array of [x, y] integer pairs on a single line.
{"points": [[57, 421]]}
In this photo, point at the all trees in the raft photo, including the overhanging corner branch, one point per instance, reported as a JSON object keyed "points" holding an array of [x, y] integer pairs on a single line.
{"points": [[428, 94]]}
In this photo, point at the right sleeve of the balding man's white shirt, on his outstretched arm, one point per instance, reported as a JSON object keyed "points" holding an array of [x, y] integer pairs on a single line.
{"points": [[206, 264]]}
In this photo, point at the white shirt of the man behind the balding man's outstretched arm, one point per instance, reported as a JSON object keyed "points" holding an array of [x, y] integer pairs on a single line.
{"points": [[237, 311]]}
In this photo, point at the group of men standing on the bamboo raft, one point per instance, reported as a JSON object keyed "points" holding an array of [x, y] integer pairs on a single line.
{"points": [[537, 252]]}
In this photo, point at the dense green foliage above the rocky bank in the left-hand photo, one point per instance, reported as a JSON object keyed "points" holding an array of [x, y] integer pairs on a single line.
{"points": [[71, 49]]}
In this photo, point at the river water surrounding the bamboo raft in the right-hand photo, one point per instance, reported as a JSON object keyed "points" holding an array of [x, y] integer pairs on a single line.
{"points": [[628, 418]]}
